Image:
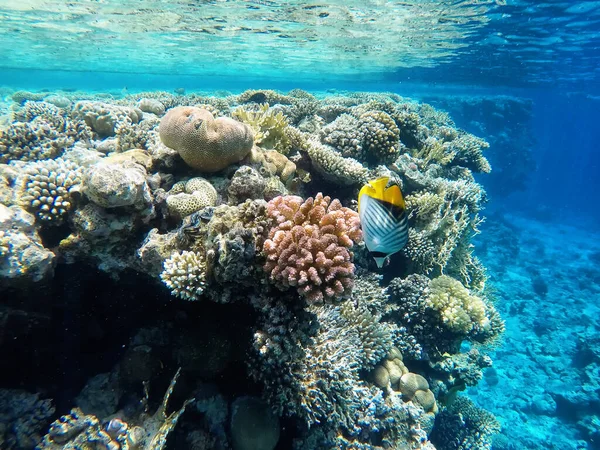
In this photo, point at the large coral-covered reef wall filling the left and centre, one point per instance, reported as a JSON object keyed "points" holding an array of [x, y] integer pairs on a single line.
{"points": [[244, 205]]}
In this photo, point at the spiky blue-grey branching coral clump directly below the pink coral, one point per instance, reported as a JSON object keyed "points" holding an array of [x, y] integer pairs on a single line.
{"points": [[310, 361]]}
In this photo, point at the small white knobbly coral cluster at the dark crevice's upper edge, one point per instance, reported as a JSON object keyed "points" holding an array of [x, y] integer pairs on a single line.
{"points": [[184, 273]]}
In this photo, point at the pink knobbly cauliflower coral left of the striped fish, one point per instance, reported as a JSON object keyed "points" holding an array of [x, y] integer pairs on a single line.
{"points": [[308, 247]]}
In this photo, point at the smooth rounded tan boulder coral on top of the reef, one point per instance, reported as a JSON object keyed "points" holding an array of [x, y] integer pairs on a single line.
{"points": [[205, 143]]}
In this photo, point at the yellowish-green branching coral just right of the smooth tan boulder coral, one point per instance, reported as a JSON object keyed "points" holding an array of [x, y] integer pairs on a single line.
{"points": [[270, 128]]}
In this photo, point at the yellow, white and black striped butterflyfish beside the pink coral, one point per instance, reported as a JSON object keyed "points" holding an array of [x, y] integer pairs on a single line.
{"points": [[383, 218]]}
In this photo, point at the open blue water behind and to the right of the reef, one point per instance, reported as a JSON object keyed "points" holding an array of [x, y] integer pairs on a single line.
{"points": [[541, 239]]}
